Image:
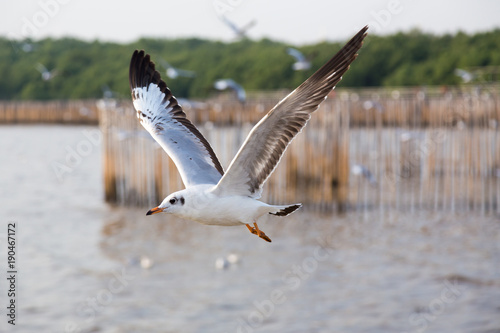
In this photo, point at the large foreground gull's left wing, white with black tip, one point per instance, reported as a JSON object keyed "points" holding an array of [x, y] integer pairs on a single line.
{"points": [[161, 115]]}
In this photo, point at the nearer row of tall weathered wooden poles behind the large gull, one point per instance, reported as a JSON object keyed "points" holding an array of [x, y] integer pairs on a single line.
{"points": [[422, 151]]}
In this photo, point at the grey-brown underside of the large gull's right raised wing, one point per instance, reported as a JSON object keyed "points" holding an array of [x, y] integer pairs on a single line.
{"points": [[262, 150]]}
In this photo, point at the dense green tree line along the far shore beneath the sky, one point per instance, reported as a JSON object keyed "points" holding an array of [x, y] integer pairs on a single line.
{"points": [[84, 68]]}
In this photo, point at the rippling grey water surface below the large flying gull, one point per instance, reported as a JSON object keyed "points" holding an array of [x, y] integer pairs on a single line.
{"points": [[81, 261]]}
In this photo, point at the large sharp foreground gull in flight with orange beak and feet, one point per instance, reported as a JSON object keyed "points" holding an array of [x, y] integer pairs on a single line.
{"points": [[228, 198]]}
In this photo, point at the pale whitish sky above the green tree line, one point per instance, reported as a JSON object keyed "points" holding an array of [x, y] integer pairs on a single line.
{"points": [[292, 21]]}
